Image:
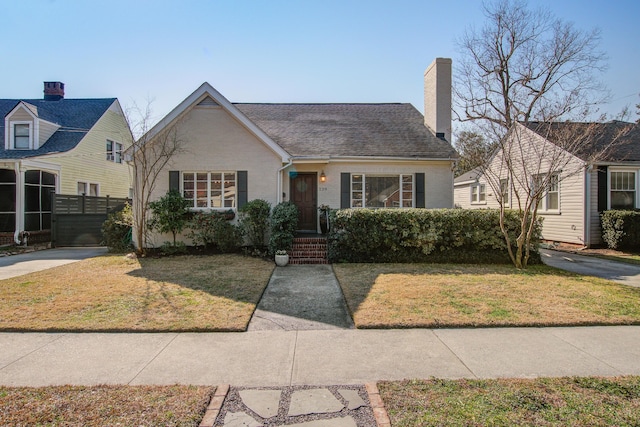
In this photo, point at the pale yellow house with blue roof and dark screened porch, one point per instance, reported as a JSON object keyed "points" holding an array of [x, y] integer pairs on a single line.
{"points": [[57, 145]]}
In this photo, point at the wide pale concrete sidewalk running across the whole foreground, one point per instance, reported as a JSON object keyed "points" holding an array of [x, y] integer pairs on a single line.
{"points": [[320, 357]]}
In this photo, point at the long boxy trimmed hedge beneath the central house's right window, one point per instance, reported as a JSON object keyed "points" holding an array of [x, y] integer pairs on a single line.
{"points": [[423, 235]]}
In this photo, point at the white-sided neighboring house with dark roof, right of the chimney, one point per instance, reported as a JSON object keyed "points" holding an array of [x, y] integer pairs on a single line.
{"points": [[602, 172]]}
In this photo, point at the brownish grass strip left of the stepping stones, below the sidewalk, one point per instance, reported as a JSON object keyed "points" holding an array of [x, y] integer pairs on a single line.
{"points": [[104, 406]]}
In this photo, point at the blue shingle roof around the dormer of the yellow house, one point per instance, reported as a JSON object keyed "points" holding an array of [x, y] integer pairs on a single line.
{"points": [[75, 116]]}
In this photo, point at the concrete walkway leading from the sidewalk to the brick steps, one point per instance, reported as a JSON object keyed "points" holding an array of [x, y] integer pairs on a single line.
{"points": [[301, 297]]}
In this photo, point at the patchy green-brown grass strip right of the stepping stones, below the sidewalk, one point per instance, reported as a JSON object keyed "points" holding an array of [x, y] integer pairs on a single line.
{"points": [[508, 402]]}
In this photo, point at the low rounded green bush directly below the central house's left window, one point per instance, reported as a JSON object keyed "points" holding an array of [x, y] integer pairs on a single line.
{"points": [[212, 229]]}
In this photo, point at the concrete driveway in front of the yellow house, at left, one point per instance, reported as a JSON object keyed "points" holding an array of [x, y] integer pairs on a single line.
{"points": [[17, 265]]}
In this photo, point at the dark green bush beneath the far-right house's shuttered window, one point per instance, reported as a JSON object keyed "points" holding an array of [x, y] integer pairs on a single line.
{"points": [[621, 229]]}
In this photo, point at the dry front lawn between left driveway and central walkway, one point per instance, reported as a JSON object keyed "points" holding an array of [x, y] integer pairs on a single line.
{"points": [[113, 293]]}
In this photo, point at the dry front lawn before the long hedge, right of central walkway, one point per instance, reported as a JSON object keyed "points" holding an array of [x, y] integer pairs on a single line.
{"points": [[441, 295]]}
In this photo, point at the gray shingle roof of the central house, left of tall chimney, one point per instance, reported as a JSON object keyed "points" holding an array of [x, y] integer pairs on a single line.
{"points": [[366, 130]]}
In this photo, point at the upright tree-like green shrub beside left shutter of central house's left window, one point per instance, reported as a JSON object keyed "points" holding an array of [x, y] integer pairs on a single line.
{"points": [[169, 214]]}
